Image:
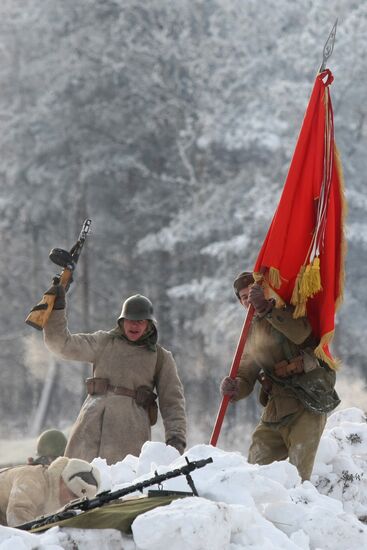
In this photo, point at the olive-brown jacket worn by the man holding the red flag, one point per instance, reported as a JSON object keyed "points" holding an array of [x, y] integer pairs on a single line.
{"points": [[275, 338]]}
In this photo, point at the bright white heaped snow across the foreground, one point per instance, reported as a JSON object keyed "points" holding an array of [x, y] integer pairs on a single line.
{"points": [[241, 506]]}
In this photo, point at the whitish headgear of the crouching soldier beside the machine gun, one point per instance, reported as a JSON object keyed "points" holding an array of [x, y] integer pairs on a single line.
{"points": [[81, 478]]}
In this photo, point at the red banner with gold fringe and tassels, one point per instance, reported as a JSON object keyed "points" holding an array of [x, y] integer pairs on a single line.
{"points": [[303, 252]]}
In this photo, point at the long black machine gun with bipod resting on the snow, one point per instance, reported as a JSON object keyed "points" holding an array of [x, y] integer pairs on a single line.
{"points": [[75, 507]]}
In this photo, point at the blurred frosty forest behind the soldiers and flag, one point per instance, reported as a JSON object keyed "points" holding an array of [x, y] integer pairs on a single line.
{"points": [[171, 124]]}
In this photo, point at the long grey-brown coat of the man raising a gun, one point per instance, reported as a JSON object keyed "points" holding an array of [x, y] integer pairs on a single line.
{"points": [[111, 426]]}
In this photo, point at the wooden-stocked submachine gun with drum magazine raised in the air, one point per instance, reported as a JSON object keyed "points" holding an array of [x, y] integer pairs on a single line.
{"points": [[40, 313]]}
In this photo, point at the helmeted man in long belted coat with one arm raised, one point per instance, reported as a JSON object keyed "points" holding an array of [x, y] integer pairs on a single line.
{"points": [[128, 365]]}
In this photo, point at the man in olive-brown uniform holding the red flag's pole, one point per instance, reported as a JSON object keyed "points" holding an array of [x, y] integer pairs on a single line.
{"points": [[297, 387]]}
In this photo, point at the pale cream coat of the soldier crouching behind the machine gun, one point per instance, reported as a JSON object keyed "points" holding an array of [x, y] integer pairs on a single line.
{"points": [[27, 492]]}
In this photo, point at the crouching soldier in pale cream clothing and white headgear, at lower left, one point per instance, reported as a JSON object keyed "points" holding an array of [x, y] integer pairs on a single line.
{"points": [[27, 492]]}
